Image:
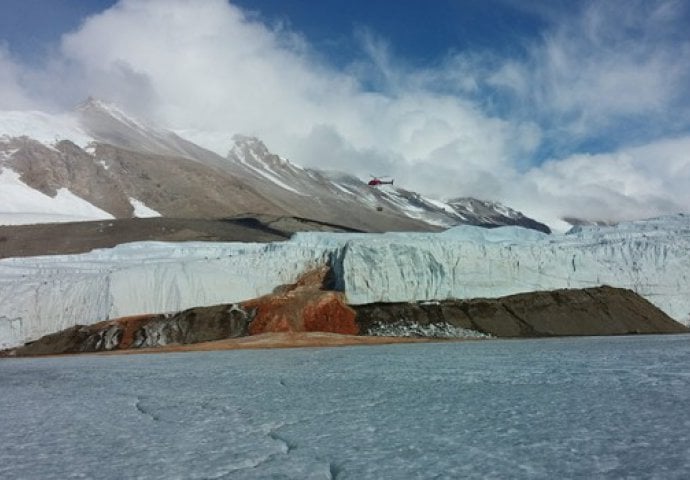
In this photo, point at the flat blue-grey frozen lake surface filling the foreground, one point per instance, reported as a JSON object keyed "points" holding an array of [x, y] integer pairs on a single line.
{"points": [[581, 407]]}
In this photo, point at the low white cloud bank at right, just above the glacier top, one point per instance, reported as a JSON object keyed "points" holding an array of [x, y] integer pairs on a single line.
{"points": [[632, 183]]}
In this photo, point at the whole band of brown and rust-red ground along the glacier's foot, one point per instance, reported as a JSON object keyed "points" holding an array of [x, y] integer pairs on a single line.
{"points": [[305, 307]]}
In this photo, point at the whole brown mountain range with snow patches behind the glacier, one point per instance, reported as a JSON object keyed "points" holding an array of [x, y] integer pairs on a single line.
{"points": [[100, 162]]}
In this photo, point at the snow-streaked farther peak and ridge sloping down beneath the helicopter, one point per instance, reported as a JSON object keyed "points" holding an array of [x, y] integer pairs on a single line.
{"points": [[328, 192]]}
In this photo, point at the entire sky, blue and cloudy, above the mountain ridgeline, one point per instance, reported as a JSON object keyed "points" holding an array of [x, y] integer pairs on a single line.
{"points": [[555, 108]]}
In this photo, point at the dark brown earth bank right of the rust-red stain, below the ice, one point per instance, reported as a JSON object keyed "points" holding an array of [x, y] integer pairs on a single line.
{"points": [[590, 311]]}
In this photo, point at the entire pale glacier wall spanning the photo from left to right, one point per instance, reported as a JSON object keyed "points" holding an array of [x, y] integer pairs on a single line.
{"points": [[41, 295]]}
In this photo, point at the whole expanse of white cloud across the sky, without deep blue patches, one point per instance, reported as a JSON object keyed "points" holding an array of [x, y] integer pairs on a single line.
{"points": [[208, 69]]}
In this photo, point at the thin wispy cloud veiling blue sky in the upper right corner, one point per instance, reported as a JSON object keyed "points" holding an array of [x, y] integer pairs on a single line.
{"points": [[610, 62]]}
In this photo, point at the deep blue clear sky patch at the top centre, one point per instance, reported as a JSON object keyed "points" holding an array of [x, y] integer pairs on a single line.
{"points": [[419, 31]]}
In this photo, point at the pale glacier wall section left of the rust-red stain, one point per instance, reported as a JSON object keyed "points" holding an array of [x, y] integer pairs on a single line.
{"points": [[41, 295]]}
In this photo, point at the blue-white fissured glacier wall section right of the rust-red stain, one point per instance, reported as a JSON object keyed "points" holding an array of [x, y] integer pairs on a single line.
{"points": [[651, 258]]}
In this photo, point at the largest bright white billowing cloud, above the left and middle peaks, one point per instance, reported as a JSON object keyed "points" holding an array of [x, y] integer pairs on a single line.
{"points": [[211, 67]]}
